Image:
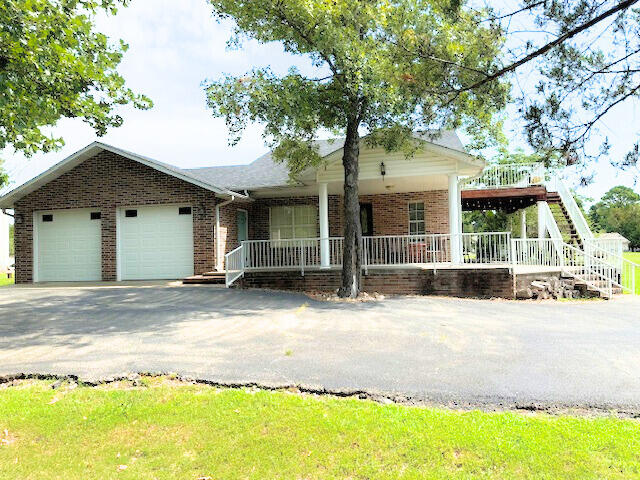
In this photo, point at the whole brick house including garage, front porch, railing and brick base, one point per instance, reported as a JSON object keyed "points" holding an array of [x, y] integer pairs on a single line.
{"points": [[105, 214]]}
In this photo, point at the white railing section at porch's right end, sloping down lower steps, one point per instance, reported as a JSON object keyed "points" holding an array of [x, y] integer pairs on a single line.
{"points": [[593, 271]]}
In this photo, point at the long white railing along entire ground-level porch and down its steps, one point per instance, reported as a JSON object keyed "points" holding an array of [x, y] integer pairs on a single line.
{"points": [[492, 248]]}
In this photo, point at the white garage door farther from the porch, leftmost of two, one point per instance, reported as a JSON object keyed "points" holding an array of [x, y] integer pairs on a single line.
{"points": [[68, 246]]}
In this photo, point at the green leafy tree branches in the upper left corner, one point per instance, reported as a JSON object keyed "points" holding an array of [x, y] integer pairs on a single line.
{"points": [[53, 64]]}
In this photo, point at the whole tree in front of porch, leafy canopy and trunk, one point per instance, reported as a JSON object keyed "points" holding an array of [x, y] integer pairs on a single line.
{"points": [[381, 66]]}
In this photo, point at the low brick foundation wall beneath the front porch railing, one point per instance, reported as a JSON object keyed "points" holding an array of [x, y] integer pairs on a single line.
{"points": [[478, 283]]}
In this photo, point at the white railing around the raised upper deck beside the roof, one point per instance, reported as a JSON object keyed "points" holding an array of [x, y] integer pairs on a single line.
{"points": [[508, 175]]}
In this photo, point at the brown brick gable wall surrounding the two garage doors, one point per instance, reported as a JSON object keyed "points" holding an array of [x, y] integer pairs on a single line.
{"points": [[106, 182]]}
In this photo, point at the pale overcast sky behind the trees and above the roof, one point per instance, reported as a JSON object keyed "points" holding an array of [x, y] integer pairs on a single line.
{"points": [[174, 46]]}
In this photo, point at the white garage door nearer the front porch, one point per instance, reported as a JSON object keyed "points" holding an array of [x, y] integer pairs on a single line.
{"points": [[155, 242]]}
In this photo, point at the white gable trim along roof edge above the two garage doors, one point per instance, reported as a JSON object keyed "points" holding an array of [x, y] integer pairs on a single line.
{"points": [[72, 161]]}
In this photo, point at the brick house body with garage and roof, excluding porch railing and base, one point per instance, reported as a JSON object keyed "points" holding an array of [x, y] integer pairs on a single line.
{"points": [[107, 214]]}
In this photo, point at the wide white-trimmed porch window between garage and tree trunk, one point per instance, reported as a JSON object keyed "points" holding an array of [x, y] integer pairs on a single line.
{"points": [[298, 221]]}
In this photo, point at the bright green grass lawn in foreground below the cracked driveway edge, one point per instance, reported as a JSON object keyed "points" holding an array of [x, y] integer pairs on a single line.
{"points": [[165, 431]]}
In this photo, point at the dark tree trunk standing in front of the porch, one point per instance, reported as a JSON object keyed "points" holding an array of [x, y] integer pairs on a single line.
{"points": [[352, 255]]}
